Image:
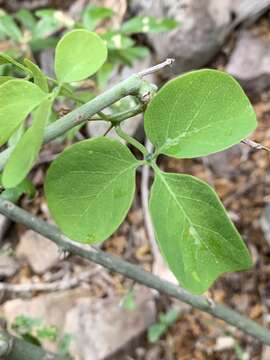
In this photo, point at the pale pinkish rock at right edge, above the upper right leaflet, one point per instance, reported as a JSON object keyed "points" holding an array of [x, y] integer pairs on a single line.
{"points": [[252, 67]]}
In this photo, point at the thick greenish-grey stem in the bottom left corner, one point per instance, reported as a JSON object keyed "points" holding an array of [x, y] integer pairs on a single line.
{"points": [[12, 348]]}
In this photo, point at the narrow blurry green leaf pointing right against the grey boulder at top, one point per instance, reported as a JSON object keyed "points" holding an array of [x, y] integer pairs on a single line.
{"points": [[148, 24]]}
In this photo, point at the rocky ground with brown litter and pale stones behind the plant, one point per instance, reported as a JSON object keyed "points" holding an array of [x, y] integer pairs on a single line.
{"points": [[85, 300]]}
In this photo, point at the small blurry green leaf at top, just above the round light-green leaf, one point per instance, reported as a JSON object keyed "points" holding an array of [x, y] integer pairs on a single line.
{"points": [[93, 15]]}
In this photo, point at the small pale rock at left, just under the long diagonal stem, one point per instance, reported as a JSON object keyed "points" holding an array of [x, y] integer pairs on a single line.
{"points": [[41, 253]]}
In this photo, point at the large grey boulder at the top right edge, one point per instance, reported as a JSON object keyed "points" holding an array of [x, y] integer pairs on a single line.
{"points": [[204, 27]]}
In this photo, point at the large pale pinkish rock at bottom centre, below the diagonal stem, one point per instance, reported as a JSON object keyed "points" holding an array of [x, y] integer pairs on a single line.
{"points": [[103, 328]]}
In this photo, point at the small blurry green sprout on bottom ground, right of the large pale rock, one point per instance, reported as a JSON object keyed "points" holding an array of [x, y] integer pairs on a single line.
{"points": [[157, 330]]}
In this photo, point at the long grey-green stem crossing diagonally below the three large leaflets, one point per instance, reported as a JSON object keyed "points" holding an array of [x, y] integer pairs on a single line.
{"points": [[134, 272]]}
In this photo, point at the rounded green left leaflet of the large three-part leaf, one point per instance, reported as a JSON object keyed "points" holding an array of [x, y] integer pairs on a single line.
{"points": [[90, 187]]}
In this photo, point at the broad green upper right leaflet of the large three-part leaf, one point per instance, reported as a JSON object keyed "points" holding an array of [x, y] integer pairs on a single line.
{"points": [[199, 113]]}
